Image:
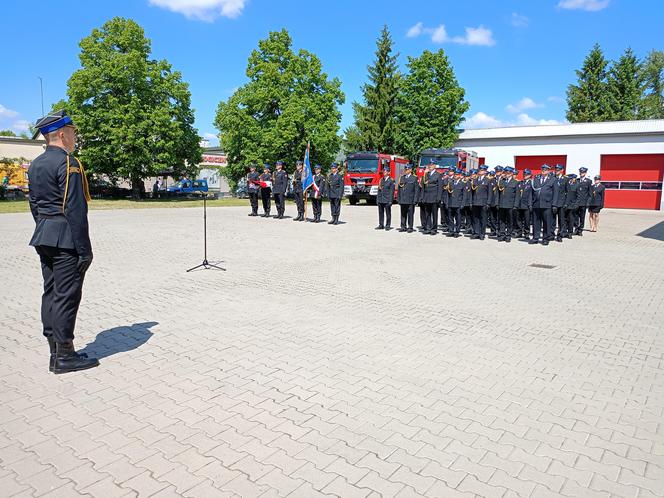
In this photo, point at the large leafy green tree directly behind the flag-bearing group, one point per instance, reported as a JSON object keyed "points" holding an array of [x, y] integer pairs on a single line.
{"points": [[287, 102]]}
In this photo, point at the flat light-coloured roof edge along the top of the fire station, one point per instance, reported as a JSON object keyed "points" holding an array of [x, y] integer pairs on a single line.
{"points": [[641, 127]]}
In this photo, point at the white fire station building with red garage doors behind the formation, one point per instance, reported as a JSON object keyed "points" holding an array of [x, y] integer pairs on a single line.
{"points": [[629, 155]]}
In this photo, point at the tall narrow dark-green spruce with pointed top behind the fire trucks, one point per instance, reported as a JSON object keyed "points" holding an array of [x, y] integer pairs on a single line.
{"points": [[375, 119]]}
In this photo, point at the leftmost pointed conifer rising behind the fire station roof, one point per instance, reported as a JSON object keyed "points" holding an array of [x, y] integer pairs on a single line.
{"points": [[589, 99]]}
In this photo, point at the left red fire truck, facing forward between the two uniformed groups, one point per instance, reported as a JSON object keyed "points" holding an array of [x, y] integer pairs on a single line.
{"points": [[364, 171]]}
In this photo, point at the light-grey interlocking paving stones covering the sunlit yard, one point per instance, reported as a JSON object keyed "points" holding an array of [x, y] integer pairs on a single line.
{"points": [[339, 361]]}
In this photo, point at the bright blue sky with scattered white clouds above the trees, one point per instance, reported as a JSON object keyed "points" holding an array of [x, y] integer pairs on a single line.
{"points": [[515, 58]]}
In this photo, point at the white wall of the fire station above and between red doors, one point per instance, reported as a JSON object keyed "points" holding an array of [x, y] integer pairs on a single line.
{"points": [[580, 151]]}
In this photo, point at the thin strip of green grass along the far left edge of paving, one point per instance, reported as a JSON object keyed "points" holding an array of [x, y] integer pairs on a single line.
{"points": [[22, 206]]}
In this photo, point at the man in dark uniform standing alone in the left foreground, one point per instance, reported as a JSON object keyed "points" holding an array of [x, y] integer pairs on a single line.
{"points": [[59, 197]]}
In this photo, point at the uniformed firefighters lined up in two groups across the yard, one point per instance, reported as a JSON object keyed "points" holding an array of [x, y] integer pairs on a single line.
{"points": [[542, 208]]}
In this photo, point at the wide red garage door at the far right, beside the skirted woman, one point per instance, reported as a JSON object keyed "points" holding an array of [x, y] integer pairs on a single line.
{"points": [[633, 180]]}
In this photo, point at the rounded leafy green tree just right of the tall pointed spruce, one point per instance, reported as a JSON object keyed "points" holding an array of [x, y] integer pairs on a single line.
{"points": [[431, 104]]}
